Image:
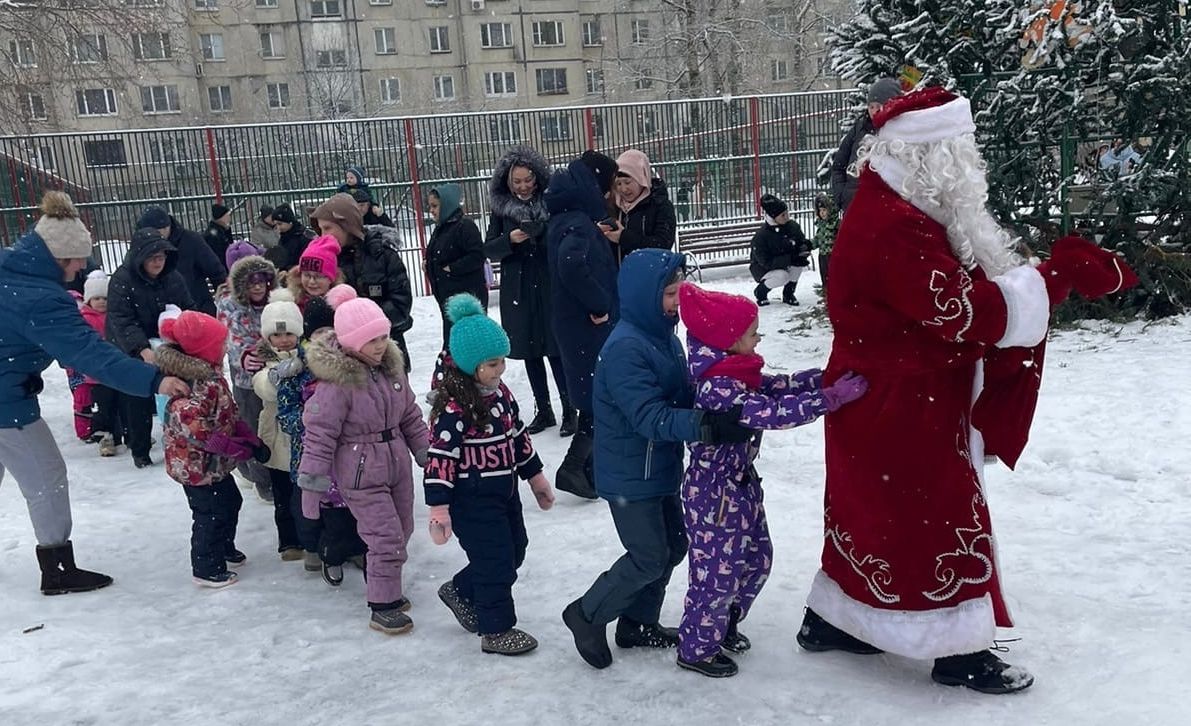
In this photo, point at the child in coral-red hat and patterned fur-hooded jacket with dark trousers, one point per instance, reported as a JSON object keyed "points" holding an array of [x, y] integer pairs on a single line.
{"points": [[205, 440]]}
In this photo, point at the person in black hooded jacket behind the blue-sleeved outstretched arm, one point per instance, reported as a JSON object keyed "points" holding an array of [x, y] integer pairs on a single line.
{"points": [[138, 295]]}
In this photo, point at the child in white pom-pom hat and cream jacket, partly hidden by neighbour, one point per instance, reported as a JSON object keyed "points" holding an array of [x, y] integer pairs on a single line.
{"points": [[282, 327]]}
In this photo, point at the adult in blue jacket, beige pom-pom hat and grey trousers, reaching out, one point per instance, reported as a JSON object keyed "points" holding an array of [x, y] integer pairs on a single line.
{"points": [[41, 324]]}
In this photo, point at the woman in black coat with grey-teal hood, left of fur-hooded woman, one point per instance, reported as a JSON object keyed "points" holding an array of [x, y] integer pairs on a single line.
{"points": [[454, 254]]}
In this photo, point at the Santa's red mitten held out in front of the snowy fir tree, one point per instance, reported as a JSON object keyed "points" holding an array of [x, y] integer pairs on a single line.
{"points": [[1093, 272]]}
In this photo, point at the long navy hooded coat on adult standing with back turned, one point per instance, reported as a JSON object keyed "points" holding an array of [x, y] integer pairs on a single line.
{"points": [[583, 276]]}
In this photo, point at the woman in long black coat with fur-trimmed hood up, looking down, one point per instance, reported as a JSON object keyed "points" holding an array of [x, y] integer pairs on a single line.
{"points": [[516, 240]]}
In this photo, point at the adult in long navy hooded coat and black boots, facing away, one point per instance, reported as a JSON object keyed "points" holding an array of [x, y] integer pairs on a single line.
{"points": [[583, 295]]}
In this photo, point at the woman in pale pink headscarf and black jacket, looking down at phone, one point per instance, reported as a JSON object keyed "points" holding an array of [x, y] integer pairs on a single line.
{"points": [[645, 214]]}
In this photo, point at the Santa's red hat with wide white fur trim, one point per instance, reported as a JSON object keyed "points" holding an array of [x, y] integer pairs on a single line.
{"points": [[925, 117]]}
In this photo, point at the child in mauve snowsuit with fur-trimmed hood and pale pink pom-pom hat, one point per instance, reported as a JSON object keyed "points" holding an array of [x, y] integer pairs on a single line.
{"points": [[363, 424]]}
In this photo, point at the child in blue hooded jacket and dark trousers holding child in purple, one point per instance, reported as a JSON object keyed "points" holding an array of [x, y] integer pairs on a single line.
{"points": [[644, 416]]}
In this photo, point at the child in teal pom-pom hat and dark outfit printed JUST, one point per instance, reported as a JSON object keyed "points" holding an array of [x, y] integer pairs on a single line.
{"points": [[478, 452]]}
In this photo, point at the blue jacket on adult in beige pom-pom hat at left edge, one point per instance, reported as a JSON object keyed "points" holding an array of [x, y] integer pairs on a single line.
{"points": [[41, 323]]}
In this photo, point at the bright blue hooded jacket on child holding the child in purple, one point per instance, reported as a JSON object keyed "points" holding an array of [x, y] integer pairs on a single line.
{"points": [[644, 397]]}
